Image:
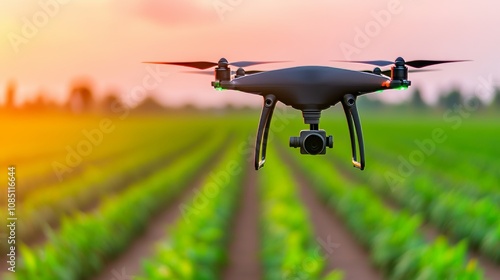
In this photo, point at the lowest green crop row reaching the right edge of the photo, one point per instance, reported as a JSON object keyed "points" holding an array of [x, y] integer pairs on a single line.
{"points": [[453, 212]]}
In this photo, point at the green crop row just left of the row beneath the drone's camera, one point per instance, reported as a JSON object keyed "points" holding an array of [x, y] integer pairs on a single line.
{"points": [[197, 243]]}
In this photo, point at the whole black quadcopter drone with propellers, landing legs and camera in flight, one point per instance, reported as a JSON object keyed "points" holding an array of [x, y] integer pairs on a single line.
{"points": [[311, 89]]}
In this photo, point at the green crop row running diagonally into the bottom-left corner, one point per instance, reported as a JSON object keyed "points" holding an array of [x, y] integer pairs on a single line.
{"points": [[87, 240]]}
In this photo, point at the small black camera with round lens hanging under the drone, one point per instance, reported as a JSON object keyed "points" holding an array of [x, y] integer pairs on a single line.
{"points": [[312, 142]]}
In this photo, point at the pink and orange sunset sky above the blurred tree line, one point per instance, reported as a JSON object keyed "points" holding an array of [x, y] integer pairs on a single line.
{"points": [[47, 44]]}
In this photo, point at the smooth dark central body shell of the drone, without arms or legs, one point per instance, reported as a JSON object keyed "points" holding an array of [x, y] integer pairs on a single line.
{"points": [[309, 87]]}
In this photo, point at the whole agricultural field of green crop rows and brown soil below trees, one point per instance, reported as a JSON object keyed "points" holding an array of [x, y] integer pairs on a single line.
{"points": [[176, 197]]}
